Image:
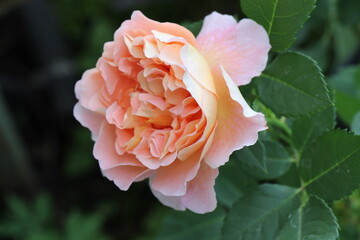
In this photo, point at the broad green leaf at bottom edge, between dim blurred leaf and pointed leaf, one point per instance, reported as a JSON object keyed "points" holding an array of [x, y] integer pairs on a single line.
{"points": [[261, 214]]}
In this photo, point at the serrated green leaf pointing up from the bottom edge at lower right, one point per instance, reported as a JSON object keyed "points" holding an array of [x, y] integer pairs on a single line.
{"points": [[315, 221]]}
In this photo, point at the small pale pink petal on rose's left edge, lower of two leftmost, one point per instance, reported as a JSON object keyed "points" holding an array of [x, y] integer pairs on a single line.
{"points": [[89, 119]]}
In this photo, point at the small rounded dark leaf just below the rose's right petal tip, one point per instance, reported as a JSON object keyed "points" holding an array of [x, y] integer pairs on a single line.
{"points": [[277, 162]]}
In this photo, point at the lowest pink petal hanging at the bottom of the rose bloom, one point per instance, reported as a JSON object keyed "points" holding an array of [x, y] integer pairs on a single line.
{"points": [[200, 196]]}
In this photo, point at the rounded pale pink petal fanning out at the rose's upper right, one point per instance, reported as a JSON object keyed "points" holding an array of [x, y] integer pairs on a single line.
{"points": [[241, 48]]}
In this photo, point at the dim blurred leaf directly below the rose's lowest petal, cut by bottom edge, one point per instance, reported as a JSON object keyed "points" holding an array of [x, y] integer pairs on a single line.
{"points": [[188, 225]]}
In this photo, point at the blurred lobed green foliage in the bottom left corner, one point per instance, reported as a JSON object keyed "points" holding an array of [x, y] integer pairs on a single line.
{"points": [[36, 221]]}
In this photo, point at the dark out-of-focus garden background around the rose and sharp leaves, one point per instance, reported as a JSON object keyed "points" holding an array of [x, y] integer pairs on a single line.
{"points": [[50, 184]]}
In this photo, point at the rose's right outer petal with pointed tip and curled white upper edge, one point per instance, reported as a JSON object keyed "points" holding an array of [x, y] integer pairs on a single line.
{"points": [[238, 124]]}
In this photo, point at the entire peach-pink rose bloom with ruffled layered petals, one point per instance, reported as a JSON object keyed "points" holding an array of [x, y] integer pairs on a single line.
{"points": [[165, 106]]}
